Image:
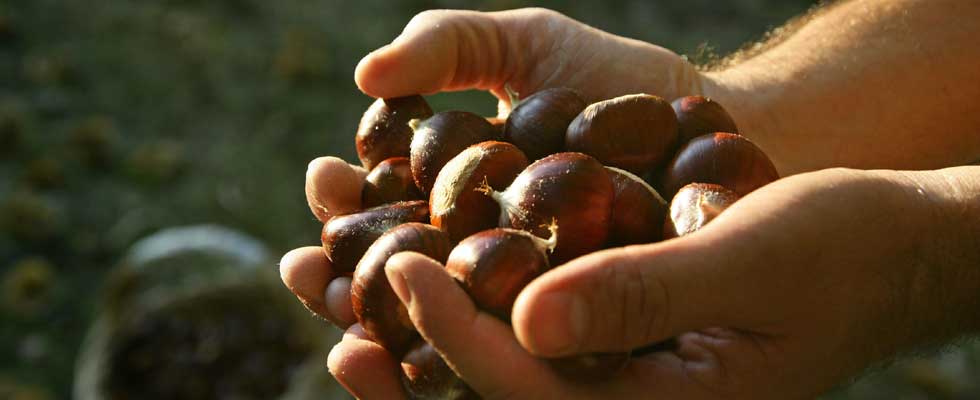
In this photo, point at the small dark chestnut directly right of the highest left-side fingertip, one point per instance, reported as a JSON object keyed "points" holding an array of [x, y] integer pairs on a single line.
{"points": [[390, 181]]}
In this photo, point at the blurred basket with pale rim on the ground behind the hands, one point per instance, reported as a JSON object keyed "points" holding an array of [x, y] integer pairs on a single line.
{"points": [[189, 288]]}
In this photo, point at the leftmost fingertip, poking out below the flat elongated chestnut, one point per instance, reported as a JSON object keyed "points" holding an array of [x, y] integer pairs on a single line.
{"points": [[306, 271]]}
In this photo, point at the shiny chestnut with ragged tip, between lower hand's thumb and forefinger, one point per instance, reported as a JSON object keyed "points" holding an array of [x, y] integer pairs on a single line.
{"points": [[493, 266]]}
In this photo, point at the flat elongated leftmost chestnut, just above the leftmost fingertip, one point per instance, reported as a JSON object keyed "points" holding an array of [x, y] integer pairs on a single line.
{"points": [[345, 238]]}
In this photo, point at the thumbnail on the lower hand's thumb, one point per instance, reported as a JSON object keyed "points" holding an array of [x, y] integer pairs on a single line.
{"points": [[562, 323]]}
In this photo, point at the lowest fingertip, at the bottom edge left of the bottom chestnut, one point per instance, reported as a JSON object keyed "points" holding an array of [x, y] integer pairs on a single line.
{"points": [[365, 368]]}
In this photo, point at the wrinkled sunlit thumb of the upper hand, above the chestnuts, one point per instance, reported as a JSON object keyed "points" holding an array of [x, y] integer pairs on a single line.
{"points": [[444, 50]]}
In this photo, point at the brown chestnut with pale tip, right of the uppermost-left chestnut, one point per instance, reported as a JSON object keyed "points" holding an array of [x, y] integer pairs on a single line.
{"points": [[441, 137]]}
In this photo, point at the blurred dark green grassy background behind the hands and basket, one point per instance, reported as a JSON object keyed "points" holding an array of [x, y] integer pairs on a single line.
{"points": [[120, 118]]}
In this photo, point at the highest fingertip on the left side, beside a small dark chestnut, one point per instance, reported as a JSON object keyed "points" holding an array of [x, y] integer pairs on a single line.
{"points": [[333, 187]]}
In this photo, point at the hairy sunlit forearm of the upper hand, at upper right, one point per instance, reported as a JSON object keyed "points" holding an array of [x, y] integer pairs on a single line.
{"points": [[864, 84]]}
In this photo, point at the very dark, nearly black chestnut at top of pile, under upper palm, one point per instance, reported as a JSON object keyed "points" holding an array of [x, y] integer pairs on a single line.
{"points": [[537, 125]]}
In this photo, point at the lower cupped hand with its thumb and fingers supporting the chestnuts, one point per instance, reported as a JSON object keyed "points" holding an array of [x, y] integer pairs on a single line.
{"points": [[796, 287]]}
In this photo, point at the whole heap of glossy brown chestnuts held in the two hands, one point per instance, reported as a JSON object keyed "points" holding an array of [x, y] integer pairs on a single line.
{"points": [[499, 202]]}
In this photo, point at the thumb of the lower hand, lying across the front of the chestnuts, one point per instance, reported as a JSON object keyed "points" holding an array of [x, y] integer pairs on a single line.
{"points": [[620, 299]]}
